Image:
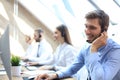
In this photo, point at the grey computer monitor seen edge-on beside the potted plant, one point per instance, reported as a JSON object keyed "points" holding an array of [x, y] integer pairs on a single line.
{"points": [[5, 52]]}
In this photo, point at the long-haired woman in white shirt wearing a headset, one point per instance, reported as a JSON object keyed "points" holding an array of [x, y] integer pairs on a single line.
{"points": [[65, 52]]}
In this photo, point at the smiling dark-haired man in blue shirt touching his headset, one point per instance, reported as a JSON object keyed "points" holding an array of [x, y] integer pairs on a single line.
{"points": [[100, 55]]}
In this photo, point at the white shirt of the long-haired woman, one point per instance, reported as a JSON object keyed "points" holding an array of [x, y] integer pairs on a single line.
{"points": [[64, 55]]}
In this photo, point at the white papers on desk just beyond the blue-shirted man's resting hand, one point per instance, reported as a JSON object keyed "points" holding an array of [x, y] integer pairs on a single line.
{"points": [[36, 72]]}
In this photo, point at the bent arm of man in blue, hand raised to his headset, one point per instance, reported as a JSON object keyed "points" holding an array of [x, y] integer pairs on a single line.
{"points": [[103, 65]]}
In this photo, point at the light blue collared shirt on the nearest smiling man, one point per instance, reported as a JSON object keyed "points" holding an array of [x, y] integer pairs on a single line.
{"points": [[102, 65]]}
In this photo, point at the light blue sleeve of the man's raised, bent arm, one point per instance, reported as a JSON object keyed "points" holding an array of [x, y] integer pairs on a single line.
{"points": [[104, 70]]}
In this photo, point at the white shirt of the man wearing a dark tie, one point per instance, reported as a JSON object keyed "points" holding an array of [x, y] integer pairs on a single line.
{"points": [[44, 52]]}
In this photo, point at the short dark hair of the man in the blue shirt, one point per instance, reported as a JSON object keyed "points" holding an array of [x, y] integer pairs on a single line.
{"points": [[102, 16]]}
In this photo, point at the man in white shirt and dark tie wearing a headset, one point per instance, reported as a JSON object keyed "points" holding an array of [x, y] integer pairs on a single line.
{"points": [[42, 52]]}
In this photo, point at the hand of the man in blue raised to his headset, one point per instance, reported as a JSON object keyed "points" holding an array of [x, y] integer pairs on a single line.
{"points": [[99, 42]]}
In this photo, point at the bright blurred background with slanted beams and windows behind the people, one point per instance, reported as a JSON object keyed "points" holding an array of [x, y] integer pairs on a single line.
{"points": [[23, 16]]}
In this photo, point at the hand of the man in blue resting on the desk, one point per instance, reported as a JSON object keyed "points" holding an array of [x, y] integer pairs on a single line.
{"points": [[46, 77]]}
